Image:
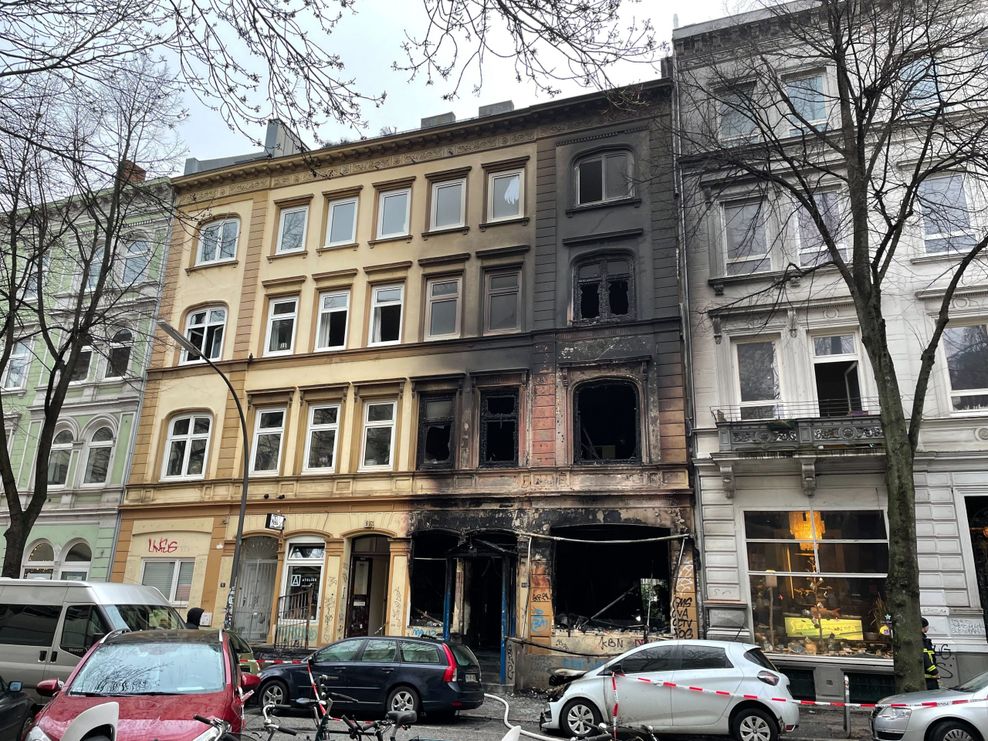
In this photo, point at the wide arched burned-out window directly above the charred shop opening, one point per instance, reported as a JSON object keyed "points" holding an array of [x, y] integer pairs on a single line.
{"points": [[607, 427]]}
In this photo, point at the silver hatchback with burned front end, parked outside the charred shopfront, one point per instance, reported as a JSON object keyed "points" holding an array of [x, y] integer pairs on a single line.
{"points": [[746, 697]]}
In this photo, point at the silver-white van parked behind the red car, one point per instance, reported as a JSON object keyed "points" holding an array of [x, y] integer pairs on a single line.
{"points": [[47, 626]]}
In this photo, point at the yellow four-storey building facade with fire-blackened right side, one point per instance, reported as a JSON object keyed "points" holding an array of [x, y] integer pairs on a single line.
{"points": [[461, 352]]}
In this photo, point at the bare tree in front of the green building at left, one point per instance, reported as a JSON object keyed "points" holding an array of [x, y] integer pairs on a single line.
{"points": [[68, 283]]}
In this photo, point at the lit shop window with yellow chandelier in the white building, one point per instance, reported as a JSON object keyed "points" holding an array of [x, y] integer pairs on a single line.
{"points": [[818, 581]]}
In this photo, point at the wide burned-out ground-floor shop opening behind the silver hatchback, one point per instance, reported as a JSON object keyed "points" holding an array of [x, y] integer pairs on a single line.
{"points": [[590, 590]]}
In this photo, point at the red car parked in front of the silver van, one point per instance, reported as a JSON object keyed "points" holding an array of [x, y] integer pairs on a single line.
{"points": [[161, 679]]}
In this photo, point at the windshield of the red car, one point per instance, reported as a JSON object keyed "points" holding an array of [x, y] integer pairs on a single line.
{"points": [[165, 668]]}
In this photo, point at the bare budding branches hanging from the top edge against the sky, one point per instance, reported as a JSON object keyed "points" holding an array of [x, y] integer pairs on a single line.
{"points": [[257, 59]]}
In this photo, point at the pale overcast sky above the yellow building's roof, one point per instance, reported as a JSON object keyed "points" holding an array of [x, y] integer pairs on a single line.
{"points": [[369, 41]]}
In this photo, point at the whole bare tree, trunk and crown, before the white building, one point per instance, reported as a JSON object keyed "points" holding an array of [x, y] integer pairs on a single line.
{"points": [[852, 126]]}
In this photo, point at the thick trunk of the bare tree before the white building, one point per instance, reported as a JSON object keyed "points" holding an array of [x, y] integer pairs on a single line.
{"points": [[902, 584]]}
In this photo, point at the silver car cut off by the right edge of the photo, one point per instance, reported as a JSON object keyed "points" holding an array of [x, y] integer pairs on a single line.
{"points": [[949, 721]]}
